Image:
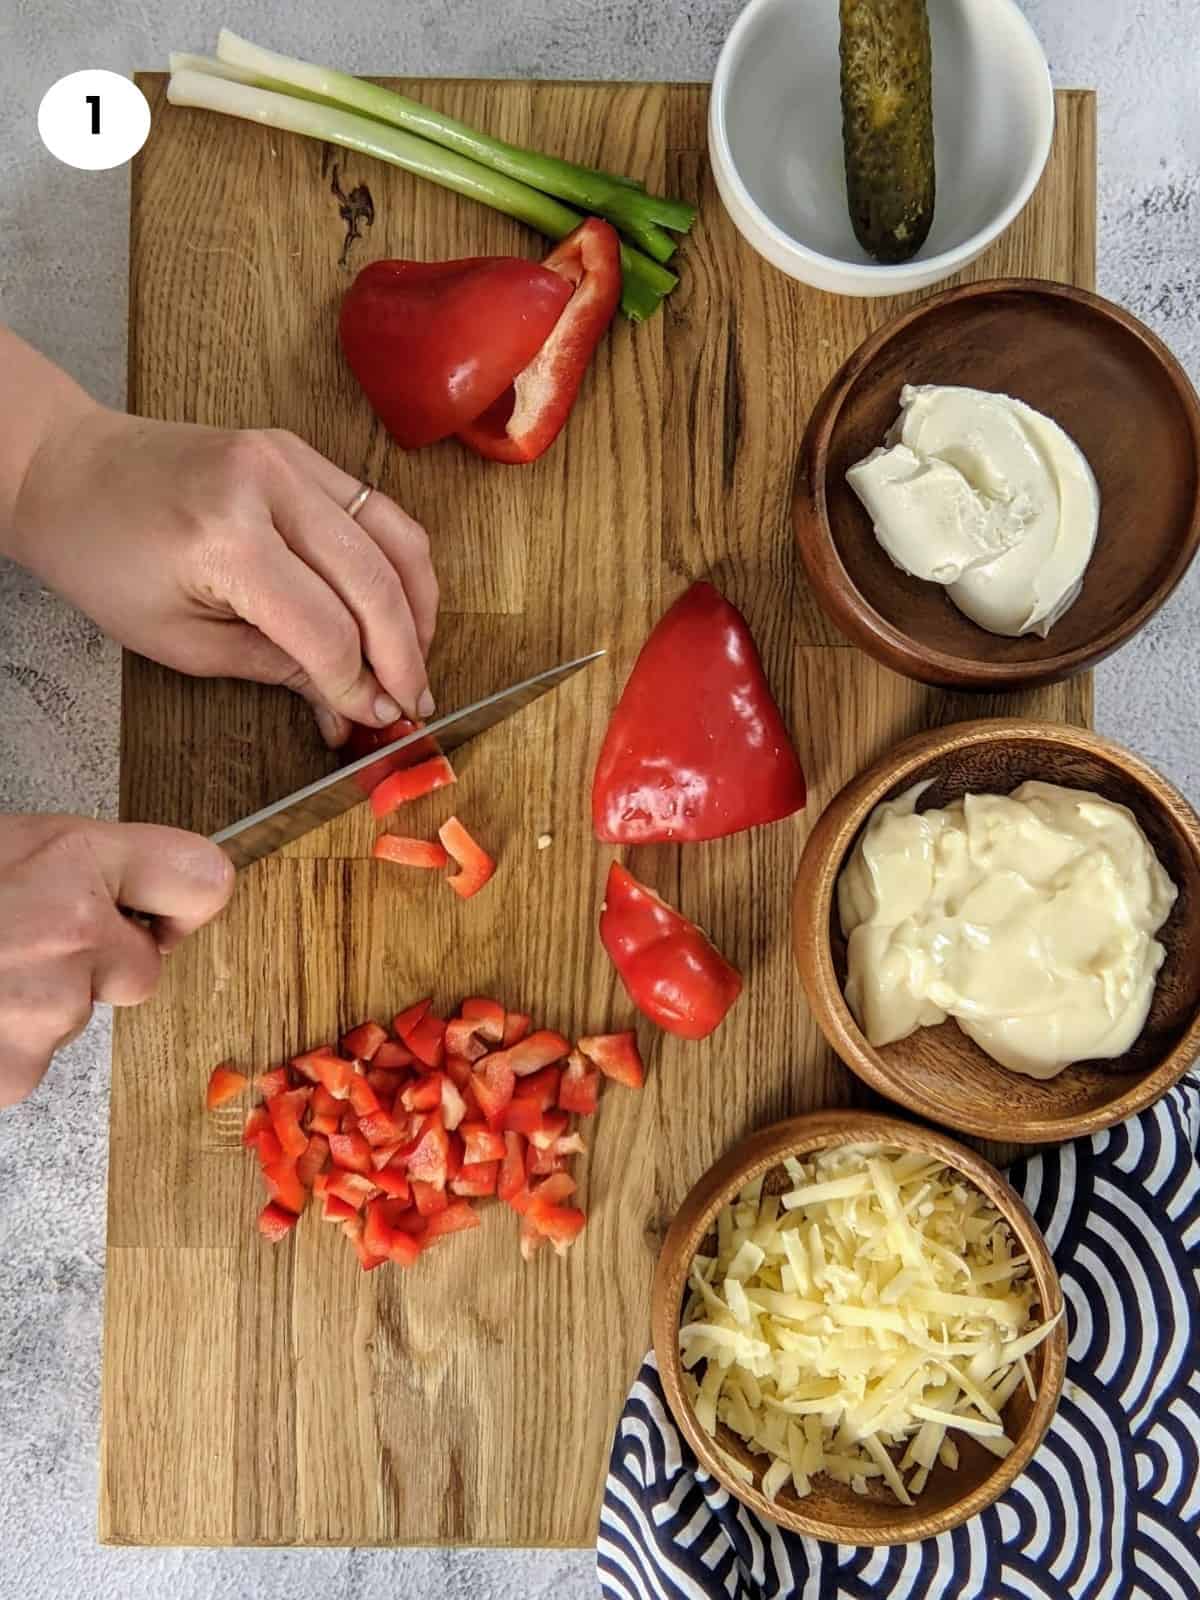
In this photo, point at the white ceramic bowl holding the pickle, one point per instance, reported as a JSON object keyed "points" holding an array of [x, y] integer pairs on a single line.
{"points": [[775, 140]]}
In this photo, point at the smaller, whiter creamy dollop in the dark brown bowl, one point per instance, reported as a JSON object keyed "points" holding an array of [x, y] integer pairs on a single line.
{"points": [[988, 497]]}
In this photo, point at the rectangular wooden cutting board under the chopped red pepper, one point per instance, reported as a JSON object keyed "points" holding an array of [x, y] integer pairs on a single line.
{"points": [[278, 1396]]}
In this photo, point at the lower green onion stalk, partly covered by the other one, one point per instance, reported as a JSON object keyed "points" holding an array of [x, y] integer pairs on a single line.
{"points": [[644, 281]]}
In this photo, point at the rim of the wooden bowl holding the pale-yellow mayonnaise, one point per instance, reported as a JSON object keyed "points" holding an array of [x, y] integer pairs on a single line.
{"points": [[814, 902]]}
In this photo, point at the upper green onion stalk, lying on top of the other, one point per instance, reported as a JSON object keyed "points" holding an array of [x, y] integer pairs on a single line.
{"points": [[639, 215]]}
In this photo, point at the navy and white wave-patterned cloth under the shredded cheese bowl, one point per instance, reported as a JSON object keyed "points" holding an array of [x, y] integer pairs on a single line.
{"points": [[1110, 1508]]}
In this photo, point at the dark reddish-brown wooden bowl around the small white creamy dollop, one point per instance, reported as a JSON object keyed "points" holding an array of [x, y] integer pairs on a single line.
{"points": [[1097, 372]]}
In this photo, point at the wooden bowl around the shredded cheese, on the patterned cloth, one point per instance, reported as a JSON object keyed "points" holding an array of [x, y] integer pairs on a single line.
{"points": [[833, 1511]]}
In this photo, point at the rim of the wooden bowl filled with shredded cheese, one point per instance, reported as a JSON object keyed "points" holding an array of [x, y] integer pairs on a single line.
{"points": [[758, 1154]]}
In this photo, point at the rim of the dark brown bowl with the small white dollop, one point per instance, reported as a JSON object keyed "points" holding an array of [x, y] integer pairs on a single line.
{"points": [[852, 612]]}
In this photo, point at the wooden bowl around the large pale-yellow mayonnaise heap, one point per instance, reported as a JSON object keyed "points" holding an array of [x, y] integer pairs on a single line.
{"points": [[940, 1073]]}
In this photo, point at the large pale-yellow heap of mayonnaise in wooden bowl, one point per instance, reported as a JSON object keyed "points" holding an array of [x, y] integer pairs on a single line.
{"points": [[1030, 919]]}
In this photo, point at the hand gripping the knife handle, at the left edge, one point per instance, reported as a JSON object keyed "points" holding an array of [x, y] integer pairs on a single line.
{"points": [[65, 943]]}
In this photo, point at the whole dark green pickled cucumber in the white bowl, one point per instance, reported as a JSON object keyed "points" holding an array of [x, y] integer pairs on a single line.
{"points": [[887, 124]]}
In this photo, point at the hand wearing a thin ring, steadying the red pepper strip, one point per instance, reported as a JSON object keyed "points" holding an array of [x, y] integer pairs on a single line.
{"points": [[231, 554]]}
